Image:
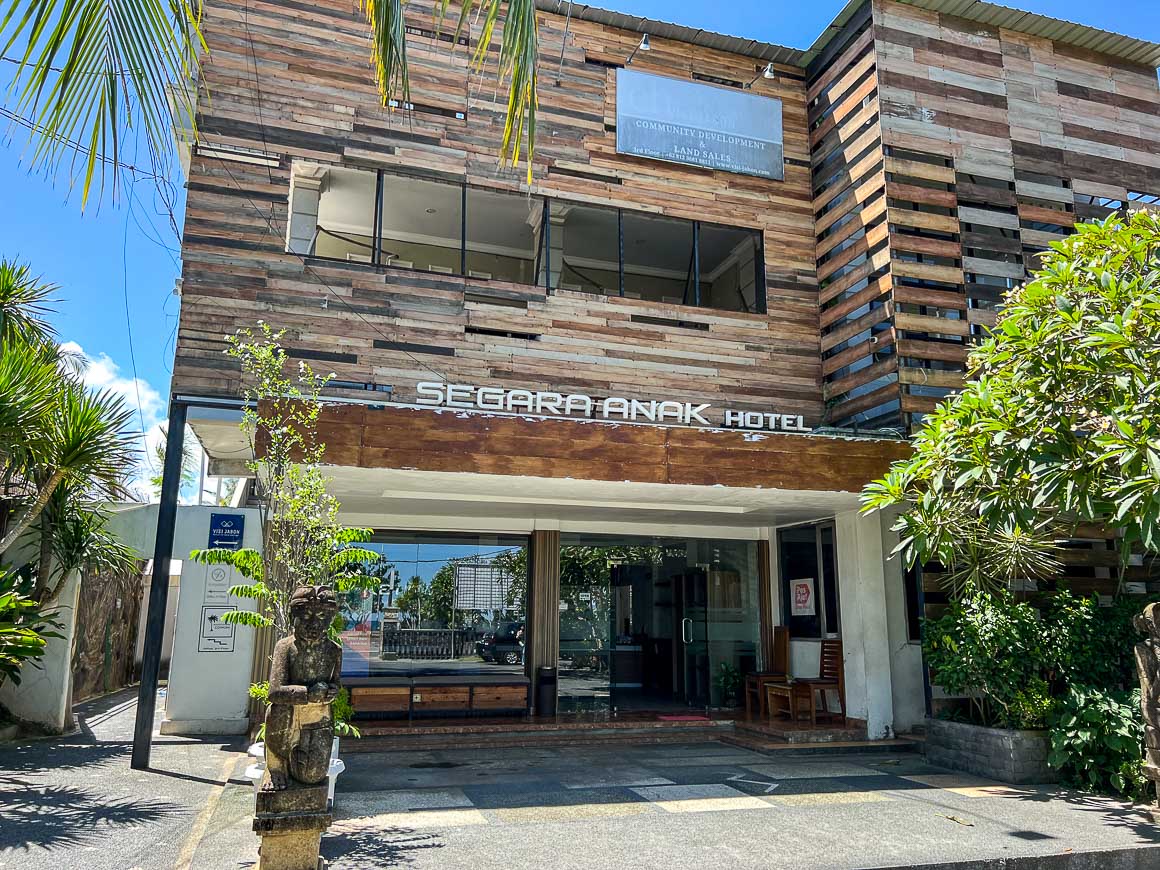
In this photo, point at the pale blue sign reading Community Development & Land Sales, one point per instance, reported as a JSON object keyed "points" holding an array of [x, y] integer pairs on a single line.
{"points": [[686, 122]]}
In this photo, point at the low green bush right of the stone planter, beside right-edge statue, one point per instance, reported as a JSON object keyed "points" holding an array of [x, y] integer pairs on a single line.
{"points": [[1098, 743]]}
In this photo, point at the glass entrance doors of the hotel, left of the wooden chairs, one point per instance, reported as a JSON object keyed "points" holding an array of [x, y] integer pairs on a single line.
{"points": [[655, 623]]}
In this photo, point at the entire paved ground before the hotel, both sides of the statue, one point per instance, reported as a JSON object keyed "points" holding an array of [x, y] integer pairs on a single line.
{"points": [[75, 803]]}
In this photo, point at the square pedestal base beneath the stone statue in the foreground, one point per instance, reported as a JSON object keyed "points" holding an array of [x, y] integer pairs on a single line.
{"points": [[292, 823]]}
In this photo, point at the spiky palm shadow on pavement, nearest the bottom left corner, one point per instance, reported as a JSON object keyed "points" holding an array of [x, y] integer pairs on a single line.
{"points": [[59, 817]]}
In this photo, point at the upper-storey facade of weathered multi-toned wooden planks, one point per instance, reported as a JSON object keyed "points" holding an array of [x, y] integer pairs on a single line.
{"points": [[929, 159]]}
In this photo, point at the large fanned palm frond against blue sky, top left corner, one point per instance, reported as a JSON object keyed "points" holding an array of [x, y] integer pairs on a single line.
{"points": [[93, 70]]}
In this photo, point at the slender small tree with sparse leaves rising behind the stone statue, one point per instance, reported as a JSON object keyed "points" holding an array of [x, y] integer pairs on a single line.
{"points": [[302, 539]]}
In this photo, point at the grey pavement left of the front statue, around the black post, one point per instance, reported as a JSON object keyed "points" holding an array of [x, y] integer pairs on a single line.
{"points": [[75, 802]]}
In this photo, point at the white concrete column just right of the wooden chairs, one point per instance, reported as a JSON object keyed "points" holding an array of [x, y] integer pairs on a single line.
{"points": [[866, 642]]}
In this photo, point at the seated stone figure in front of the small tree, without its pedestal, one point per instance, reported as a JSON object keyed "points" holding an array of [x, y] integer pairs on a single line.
{"points": [[304, 679]]}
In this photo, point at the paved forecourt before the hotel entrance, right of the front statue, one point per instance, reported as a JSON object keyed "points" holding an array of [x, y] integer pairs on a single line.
{"points": [[702, 806]]}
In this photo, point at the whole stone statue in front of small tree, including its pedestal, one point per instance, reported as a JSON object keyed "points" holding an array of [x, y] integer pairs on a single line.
{"points": [[292, 808]]}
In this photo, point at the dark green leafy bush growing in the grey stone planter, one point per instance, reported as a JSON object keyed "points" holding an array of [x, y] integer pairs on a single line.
{"points": [[992, 649]]}
